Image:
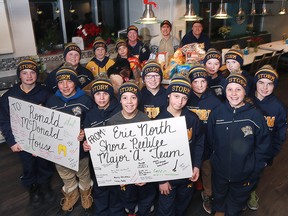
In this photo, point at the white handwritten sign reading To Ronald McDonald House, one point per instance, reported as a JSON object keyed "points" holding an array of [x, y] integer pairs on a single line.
{"points": [[47, 133]]}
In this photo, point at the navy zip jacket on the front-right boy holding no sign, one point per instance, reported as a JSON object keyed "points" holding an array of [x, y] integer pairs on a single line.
{"points": [[240, 141]]}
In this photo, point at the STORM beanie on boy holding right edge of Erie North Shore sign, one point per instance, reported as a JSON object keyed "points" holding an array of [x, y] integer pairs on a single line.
{"points": [[179, 83]]}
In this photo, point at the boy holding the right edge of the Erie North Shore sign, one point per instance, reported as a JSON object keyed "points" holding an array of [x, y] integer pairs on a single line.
{"points": [[175, 196]]}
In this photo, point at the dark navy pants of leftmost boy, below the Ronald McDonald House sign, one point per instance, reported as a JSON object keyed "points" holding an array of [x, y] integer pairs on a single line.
{"points": [[36, 170]]}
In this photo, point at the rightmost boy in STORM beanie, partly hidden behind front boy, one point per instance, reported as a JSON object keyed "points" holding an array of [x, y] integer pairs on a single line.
{"points": [[275, 114]]}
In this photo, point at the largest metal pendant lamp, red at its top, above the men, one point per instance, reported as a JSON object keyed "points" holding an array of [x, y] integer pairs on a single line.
{"points": [[148, 16]]}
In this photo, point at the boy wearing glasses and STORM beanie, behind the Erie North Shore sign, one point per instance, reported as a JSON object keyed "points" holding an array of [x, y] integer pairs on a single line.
{"points": [[153, 94]]}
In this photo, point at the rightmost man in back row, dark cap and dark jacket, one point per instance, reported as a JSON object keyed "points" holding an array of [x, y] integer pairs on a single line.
{"points": [[196, 35]]}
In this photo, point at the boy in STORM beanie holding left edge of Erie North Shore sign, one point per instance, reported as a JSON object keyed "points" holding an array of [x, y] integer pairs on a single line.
{"points": [[106, 105]]}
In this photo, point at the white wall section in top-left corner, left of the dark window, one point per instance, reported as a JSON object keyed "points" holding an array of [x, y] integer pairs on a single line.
{"points": [[21, 28]]}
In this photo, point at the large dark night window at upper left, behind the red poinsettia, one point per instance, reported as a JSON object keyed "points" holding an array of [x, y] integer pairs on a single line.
{"points": [[52, 29]]}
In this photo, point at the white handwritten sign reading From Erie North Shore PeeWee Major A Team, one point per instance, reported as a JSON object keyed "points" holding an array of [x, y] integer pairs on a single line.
{"points": [[140, 152]]}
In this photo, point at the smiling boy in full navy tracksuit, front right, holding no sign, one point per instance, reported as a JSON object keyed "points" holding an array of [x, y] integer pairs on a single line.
{"points": [[240, 140]]}
